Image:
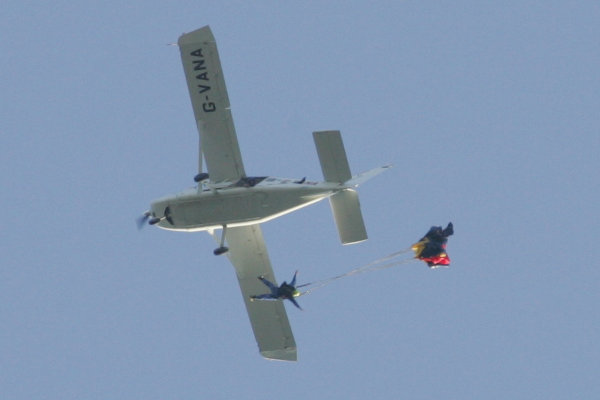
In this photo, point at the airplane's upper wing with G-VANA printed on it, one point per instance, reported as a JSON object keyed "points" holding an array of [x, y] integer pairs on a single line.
{"points": [[204, 76]]}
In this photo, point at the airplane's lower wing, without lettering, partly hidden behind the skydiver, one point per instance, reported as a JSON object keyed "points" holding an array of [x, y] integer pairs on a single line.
{"points": [[248, 254]]}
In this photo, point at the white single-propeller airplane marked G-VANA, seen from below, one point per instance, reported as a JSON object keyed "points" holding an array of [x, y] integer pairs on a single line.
{"points": [[228, 199]]}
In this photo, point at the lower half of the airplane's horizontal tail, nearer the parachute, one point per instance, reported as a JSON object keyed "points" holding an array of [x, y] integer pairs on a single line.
{"points": [[348, 217]]}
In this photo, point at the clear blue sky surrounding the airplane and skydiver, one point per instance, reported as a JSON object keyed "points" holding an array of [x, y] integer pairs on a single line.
{"points": [[488, 111]]}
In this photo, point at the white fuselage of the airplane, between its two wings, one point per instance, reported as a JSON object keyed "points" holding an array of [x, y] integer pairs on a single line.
{"points": [[248, 201]]}
